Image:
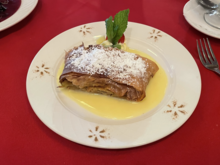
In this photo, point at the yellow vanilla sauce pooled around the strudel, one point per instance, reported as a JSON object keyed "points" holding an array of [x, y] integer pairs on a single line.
{"points": [[115, 108]]}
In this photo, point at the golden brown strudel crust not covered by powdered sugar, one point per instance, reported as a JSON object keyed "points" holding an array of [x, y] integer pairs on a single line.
{"points": [[132, 88]]}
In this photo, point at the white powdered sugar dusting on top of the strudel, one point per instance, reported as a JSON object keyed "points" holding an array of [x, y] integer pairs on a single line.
{"points": [[106, 61]]}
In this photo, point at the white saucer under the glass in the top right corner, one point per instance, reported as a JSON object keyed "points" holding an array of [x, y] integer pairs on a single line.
{"points": [[194, 16]]}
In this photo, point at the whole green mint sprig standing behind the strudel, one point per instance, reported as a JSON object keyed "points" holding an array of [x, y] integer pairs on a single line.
{"points": [[116, 28]]}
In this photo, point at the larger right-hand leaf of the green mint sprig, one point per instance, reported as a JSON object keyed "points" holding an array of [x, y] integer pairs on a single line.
{"points": [[120, 20]]}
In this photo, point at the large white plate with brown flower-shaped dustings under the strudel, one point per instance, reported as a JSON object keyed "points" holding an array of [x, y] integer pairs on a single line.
{"points": [[71, 121]]}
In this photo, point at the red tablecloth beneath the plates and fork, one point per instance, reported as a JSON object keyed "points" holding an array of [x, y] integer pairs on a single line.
{"points": [[24, 139]]}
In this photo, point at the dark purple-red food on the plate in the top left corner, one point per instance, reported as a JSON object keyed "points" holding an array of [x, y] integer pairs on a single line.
{"points": [[9, 8]]}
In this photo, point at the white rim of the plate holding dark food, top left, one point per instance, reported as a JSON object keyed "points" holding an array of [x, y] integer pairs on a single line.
{"points": [[27, 6]]}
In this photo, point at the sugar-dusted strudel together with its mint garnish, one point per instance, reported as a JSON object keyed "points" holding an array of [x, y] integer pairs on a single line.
{"points": [[107, 69]]}
